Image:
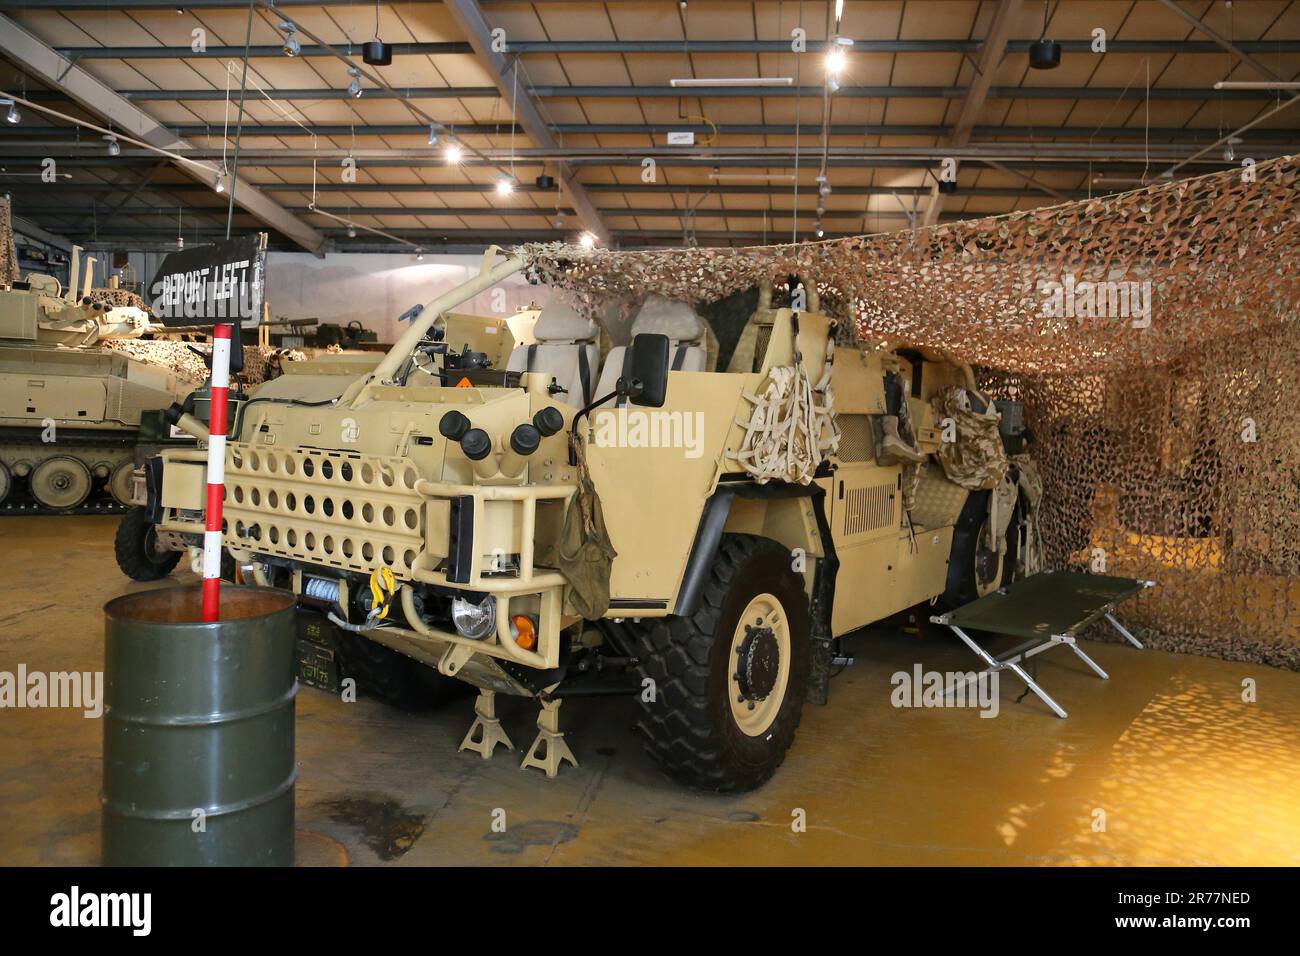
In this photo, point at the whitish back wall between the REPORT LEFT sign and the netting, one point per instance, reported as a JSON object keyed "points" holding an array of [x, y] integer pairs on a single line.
{"points": [[378, 288]]}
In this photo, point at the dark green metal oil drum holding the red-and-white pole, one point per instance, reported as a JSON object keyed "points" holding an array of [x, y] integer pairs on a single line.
{"points": [[200, 730]]}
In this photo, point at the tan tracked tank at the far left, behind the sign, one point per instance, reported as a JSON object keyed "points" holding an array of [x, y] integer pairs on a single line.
{"points": [[71, 410]]}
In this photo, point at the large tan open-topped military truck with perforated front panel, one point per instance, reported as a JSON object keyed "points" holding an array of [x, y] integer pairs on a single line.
{"points": [[642, 524]]}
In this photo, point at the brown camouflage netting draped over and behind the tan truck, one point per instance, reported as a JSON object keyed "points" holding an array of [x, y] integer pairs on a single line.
{"points": [[1154, 340]]}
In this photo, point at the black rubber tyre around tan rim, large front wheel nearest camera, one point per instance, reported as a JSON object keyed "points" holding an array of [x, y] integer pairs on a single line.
{"points": [[690, 728]]}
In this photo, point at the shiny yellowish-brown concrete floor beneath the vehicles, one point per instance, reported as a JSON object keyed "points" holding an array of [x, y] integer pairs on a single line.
{"points": [[1185, 771]]}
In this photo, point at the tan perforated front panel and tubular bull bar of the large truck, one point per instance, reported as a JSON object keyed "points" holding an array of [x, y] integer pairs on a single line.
{"points": [[349, 512]]}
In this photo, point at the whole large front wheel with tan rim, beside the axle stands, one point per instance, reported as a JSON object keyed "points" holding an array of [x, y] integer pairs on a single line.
{"points": [[730, 680]]}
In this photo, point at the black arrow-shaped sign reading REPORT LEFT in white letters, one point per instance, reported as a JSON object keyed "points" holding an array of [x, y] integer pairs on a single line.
{"points": [[222, 283]]}
